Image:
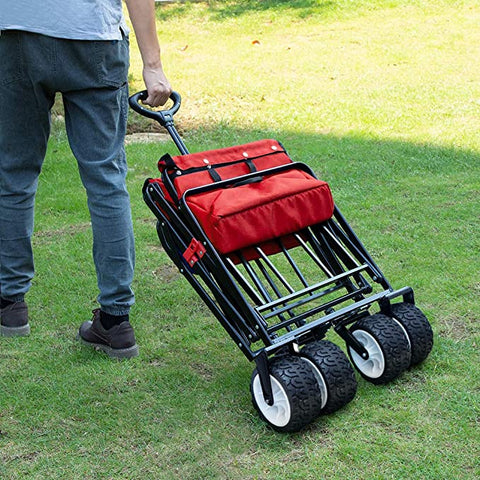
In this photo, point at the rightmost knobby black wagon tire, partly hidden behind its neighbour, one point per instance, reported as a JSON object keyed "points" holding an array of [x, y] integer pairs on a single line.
{"points": [[418, 329]]}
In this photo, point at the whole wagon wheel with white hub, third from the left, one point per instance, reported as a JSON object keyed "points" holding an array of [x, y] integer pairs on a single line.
{"points": [[387, 346]]}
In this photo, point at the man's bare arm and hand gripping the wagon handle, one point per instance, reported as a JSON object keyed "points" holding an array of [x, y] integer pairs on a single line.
{"points": [[142, 16]]}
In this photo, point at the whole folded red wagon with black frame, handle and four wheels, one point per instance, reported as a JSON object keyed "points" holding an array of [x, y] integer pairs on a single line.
{"points": [[277, 289]]}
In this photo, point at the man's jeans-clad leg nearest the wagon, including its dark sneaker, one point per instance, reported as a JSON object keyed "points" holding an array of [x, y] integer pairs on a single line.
{"points": [[96, 118]]}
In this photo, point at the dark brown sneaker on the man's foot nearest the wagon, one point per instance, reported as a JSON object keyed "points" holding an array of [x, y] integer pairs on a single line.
{"points": [[116, 342]]}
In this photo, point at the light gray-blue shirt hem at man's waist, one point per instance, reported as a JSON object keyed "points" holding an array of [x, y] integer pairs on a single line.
{"points": [[73, 19]]}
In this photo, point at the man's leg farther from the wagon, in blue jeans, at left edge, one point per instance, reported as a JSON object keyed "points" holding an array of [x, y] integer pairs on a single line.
{"points": [[24, 131]]}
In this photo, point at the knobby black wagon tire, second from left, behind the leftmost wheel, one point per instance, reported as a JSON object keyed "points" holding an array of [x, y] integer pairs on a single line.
{"points": [[337, 374]]}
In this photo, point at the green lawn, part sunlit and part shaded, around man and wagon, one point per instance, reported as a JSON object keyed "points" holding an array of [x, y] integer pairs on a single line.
{"points": [[381, 98]]}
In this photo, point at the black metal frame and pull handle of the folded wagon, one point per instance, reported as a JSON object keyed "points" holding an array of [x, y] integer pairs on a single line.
{"points": [[257, 305]]}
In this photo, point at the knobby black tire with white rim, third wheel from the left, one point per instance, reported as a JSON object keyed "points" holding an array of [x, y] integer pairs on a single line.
{"points": [[392, 342]]}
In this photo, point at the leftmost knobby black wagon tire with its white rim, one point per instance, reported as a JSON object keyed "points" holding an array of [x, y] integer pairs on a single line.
{"points": [[297, 379]]}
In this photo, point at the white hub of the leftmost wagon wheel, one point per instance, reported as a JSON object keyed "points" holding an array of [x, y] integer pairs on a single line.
{"points": [[279, 413]]}
